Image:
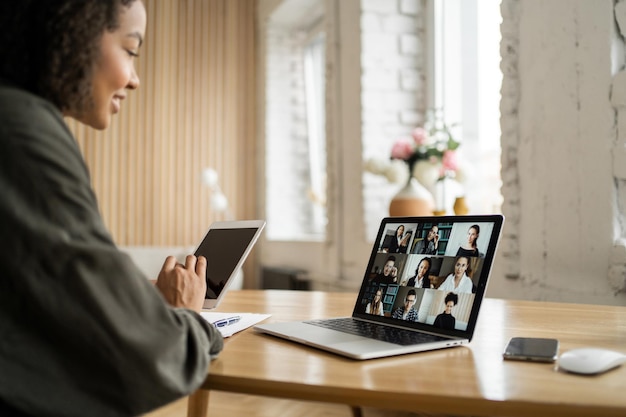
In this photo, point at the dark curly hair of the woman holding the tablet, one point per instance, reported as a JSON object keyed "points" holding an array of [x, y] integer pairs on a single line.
{"points": [[49, 47]]}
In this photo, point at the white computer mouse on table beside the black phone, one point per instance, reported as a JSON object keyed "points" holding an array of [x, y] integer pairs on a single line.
{"points": [[590, 360]]}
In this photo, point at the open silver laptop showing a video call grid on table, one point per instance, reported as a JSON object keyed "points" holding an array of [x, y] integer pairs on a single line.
{"points": [[422, 290]]}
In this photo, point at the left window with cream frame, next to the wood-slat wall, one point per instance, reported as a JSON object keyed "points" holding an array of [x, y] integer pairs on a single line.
{"points": [[311, 135]]}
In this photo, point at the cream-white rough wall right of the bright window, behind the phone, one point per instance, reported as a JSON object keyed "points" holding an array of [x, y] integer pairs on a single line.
{"points": [[559, 131]]}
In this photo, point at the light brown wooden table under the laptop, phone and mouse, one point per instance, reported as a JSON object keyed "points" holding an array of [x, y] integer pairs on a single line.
{"points": [[468, 380]]}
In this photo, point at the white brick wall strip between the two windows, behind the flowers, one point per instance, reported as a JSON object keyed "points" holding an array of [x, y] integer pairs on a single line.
{"points": [[393, 88]]}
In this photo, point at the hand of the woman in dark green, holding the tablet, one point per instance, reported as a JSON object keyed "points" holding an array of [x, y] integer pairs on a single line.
{"points": [[183, 285]]}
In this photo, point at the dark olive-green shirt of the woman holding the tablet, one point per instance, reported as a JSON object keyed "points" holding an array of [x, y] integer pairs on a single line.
{"points": [[82, 330]]}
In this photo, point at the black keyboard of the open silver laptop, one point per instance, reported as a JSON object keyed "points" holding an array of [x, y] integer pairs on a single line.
{"points": [[376, 331]]}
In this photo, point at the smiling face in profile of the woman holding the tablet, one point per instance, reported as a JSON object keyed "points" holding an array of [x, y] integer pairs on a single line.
{"points": [[114, 71]]}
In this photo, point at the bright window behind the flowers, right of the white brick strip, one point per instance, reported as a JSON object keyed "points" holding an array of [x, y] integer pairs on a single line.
{"points": [[467, 80]]}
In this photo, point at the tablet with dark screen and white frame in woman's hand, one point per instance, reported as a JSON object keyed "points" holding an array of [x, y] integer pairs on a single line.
{"points": [[226, 246]]}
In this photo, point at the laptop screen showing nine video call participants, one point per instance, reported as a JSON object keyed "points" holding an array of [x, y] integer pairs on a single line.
{"points": [[430, 272]]}
